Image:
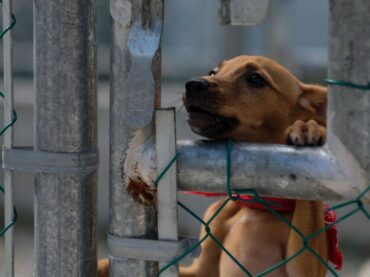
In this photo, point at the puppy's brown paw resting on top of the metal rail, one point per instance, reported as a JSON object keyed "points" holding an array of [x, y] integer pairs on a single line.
{"points": [[308, 133]]}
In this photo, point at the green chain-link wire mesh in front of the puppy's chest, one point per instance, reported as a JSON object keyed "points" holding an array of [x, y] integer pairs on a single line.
{"points": [[234, 195]]}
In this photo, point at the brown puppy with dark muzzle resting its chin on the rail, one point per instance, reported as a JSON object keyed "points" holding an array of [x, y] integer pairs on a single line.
{"points": [[254, 99]]}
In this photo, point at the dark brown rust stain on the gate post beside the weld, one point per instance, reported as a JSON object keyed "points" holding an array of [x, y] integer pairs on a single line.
{"points": [[142, 192]]}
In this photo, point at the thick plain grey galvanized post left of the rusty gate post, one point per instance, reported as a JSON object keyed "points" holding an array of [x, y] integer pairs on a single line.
{"points": [[65, 121]]}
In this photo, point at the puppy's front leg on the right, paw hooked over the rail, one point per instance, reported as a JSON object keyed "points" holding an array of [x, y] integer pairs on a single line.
{"points": [[308, 216]]}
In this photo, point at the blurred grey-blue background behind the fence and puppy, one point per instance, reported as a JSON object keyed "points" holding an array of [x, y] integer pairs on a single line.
{"points": [[294, 33]]}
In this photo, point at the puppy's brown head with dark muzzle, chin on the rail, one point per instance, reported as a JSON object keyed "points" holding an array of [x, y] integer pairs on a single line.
{"points": [[251, 98]]}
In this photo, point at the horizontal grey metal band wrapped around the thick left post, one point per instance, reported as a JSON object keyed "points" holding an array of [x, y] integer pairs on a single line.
{"points": [[25, 159]]}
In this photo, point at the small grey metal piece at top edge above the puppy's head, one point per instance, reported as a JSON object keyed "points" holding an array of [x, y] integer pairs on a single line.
{"points": [[243, 12]]}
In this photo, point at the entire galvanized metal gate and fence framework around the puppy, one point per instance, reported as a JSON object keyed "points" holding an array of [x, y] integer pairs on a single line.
{"points": [[65, 158]]}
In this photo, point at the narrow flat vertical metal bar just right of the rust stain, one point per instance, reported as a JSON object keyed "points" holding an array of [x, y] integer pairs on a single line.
{"points": [[167, 186]]}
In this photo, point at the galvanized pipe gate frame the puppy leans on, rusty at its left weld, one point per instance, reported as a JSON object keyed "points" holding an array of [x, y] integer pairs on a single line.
{"points": [[338, 175]]}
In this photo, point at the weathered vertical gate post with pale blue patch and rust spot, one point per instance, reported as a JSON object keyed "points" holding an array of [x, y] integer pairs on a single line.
{"points": [[135, 73]]}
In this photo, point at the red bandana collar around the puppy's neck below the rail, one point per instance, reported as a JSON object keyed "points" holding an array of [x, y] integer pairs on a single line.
{"points": [[288, 205]]}
